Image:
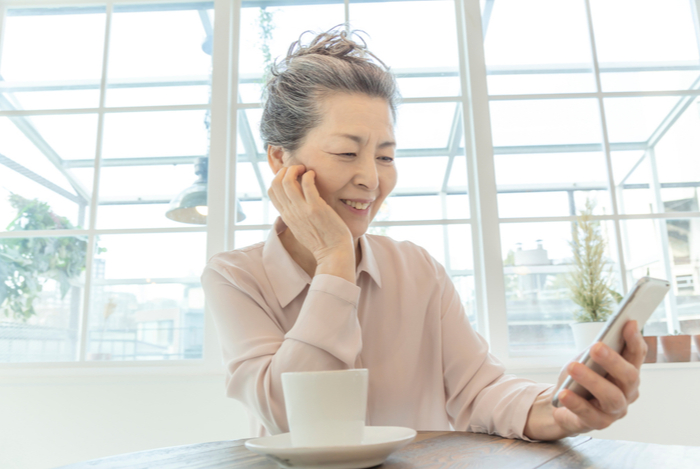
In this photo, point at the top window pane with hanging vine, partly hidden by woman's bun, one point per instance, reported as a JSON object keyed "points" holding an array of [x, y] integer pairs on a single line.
{"points": [[267, 32]]}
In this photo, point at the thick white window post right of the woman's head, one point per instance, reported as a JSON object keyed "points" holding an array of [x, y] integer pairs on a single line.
{"points": [[488, 265]]}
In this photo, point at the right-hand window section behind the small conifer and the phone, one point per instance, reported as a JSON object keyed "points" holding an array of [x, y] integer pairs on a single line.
{"points": [[594, 100]]}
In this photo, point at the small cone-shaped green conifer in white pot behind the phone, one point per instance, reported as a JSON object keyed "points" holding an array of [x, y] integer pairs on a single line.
{"points": [[591, 277]]}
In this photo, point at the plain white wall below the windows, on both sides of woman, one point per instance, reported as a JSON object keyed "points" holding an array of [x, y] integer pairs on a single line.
{"points": [[51, 421]]}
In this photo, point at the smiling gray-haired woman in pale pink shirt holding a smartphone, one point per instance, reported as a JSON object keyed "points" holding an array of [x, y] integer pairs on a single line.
{"points": [[321, 294]]}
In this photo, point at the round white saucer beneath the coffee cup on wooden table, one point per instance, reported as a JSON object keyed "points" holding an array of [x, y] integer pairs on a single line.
{"points": [[378, 443]]}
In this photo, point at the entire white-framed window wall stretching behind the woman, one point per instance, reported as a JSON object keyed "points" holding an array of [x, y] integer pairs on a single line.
{"points": [[113, 114]]}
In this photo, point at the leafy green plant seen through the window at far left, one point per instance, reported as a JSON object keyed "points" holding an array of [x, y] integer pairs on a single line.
{"points": [[26, 263]]}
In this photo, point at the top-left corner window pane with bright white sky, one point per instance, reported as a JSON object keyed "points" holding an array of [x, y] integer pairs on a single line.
{"points": [[62, 70]]}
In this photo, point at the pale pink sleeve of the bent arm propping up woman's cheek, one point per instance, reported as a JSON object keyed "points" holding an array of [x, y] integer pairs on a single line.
{"points": [[256, 350]]}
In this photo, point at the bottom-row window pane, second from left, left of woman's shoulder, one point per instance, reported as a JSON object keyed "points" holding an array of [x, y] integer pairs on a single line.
{"points": [[147, 304]]}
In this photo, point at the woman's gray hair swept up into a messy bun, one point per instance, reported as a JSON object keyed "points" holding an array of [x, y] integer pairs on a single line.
{"points": [[330, 63]]}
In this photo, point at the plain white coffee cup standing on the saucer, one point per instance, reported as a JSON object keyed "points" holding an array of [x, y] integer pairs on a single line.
{"points": [[326, 408]]}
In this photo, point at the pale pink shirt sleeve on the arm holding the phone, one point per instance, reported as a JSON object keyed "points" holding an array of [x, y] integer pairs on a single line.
{"points": [[480, 397]]}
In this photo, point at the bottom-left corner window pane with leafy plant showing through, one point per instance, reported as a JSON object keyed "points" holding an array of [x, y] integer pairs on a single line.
{"points": [[40, 312]]}
